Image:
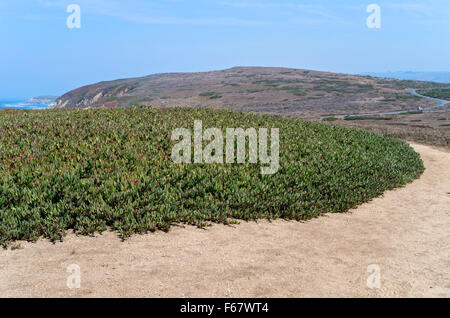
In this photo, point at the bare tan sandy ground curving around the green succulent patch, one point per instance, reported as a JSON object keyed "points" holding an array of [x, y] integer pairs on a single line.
{"points": [[406, 233]]}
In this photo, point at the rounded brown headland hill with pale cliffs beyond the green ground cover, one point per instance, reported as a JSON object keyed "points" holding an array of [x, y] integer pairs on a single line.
{"points": [[283, 91]]}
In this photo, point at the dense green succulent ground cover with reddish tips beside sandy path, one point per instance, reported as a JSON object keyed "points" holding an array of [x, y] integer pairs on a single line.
{"points": [[90, 170]]}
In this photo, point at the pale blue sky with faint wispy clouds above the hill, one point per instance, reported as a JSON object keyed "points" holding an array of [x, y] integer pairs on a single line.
{"points": [[40, 55]]}
